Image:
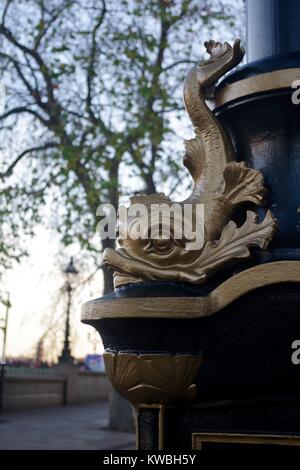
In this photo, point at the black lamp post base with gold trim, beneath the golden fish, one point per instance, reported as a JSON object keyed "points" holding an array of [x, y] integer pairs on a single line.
{"points": [[181, 356]]}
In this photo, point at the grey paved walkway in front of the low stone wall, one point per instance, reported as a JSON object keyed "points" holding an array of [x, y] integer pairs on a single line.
{"points": [[69, 428]]}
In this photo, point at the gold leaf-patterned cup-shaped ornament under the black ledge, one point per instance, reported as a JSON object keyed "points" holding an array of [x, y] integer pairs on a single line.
{"points": [[153, 378]]}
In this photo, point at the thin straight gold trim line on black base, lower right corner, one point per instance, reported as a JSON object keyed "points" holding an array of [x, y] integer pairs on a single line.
{"points": [[199, 438]]}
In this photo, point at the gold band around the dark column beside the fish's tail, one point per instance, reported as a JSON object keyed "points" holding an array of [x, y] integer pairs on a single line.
{"points": [[265, 82]]}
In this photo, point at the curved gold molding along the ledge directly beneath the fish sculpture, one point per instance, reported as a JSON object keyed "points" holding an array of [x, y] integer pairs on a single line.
{"points": [[195, 307]]}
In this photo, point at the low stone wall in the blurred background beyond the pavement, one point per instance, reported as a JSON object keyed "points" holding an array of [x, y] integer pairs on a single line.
{"points": [[66, 385]]}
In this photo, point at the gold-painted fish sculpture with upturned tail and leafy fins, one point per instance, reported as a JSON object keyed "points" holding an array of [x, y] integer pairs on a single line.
{"points": [[220, 184]]}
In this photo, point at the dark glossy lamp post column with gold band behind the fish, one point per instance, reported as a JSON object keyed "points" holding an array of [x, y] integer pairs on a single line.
{"points": [[254, 103]]}
